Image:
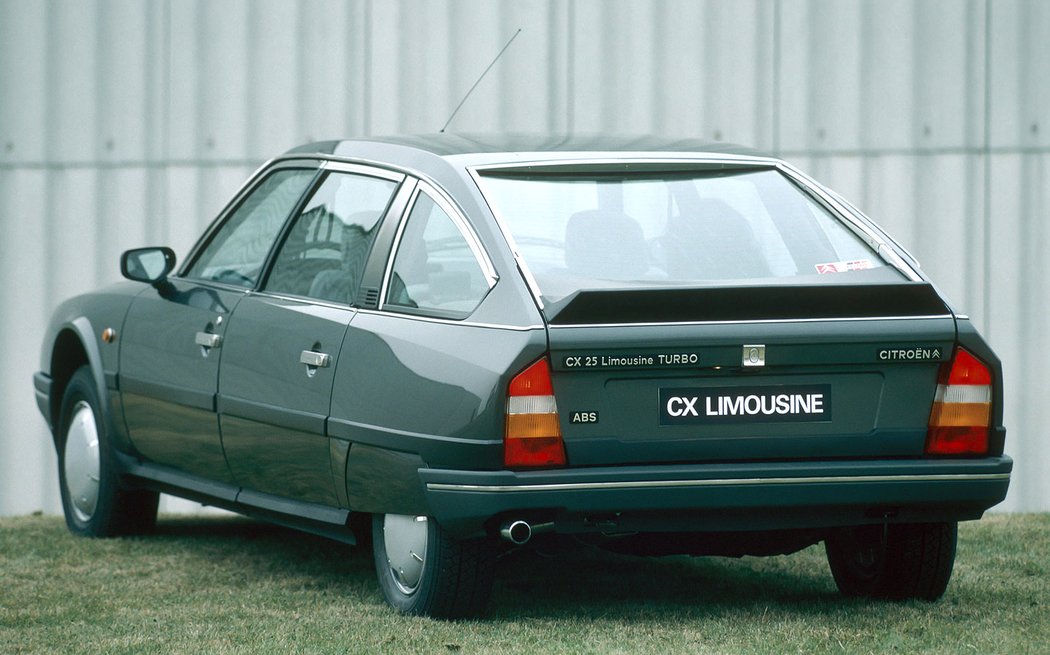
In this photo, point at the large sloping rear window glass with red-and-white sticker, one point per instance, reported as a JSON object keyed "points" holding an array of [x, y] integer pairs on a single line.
{"points": [[622, 230]]}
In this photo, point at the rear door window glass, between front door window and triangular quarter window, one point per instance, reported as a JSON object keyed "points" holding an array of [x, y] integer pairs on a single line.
{"points": [[326, 250]]}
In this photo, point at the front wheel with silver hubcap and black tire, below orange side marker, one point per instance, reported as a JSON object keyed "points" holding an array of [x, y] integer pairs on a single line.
{"points": [[93, 500]]}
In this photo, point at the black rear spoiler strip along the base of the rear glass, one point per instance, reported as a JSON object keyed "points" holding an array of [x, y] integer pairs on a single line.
{"points": [[747, 304]]}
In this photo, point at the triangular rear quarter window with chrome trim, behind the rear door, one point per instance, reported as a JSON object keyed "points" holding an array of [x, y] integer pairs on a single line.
{"points": [[435, 268]]}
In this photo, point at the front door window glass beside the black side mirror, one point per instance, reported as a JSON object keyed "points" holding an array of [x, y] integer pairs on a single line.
{"points": [[238, 252]]}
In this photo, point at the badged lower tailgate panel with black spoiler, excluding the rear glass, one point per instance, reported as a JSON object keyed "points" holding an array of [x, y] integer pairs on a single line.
{"points": [[747, 373]]}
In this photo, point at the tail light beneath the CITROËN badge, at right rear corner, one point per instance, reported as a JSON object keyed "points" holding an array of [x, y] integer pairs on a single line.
{"points": [[961, 417]]}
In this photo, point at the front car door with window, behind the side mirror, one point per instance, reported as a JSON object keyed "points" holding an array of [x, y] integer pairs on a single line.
{"points": [[174, 336]]}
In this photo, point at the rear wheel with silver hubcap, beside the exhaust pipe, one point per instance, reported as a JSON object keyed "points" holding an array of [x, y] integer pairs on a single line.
{"points": [[425, 572]]}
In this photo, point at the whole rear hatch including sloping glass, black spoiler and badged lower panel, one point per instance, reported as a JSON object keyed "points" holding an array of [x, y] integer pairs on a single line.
{"points": [[713, 310]]}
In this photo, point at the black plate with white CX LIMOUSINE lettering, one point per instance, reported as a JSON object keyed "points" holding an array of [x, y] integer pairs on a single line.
{"points": [[801, 404]]}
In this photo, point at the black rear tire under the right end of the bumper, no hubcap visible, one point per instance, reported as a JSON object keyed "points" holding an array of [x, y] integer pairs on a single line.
{"points": [[894, 562]]}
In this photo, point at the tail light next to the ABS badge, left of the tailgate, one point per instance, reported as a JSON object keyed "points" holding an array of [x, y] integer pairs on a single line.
{"points": [[533, 436]]}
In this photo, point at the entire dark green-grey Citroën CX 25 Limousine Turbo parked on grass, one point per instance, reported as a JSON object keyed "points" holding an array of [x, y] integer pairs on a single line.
{"points": [[452, 346]]}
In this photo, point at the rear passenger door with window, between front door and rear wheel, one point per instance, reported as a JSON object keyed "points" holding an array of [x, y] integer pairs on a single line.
{"points": [[283, 344]]}
